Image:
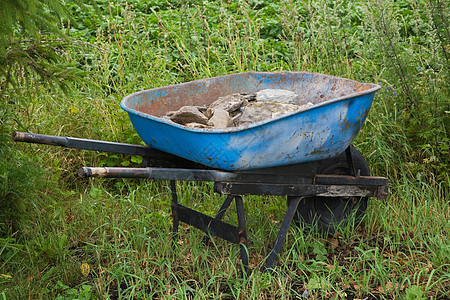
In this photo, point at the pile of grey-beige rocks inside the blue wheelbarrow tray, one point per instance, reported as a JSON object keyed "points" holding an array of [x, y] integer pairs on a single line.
{"points": [[239, 109]]}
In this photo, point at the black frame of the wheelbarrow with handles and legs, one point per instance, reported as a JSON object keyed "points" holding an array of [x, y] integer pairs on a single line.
{"points": [[298, 180]]}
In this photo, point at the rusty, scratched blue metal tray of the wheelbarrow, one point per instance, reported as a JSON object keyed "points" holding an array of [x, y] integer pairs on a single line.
{"points": [[324, 130]]}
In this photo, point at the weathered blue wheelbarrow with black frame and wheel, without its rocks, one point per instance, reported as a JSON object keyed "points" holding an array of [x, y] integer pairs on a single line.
{"points": [[304, 155]]}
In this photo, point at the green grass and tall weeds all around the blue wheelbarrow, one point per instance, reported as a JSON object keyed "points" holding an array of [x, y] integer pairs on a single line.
{"points": [[69, 238]]}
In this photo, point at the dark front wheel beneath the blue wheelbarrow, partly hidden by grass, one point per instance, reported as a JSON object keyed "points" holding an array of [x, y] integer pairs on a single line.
{"points": [[328, 214]]}
